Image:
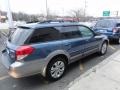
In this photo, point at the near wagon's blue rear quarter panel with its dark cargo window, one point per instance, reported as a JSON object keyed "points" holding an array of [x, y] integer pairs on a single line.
{"points": [[45, 40]]}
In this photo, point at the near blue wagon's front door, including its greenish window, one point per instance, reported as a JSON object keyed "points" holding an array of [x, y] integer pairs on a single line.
{"points": [[91, 41]]}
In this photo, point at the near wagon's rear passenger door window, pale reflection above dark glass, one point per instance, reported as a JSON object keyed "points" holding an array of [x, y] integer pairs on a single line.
{"points": [[69, 32]]}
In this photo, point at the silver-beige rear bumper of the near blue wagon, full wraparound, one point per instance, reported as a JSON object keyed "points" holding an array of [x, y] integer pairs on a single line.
{"points": [[24, 69]]}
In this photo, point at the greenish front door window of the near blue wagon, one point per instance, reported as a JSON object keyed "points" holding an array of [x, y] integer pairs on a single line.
{"points": [[86, 32]]}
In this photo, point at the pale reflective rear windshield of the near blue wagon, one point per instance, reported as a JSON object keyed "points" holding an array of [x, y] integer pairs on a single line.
{"points": [[20, 36]]}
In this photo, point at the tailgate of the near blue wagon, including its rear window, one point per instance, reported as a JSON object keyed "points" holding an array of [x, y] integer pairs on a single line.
{"points": [[17, 39]]}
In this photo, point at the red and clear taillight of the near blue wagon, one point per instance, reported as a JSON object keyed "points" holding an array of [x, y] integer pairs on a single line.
{"points": [[23, 51]]}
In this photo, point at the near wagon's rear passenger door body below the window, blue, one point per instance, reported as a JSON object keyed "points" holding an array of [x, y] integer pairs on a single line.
{"points": [[75, 48]]}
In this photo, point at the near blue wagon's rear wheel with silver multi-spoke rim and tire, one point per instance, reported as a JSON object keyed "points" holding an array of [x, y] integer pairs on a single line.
{"points": [[56, 69]]}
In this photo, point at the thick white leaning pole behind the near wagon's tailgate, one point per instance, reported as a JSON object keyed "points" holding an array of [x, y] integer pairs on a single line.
{"points": [[9, 15]]}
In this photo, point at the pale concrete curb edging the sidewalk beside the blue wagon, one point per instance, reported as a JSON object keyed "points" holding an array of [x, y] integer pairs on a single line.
{"points": [[94, 69]]}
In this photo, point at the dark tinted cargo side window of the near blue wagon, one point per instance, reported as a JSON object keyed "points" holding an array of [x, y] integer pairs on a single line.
{"points": [[44, 34]]}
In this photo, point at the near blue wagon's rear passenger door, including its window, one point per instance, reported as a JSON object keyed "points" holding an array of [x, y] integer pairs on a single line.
{"points": [[72, 42]]}
